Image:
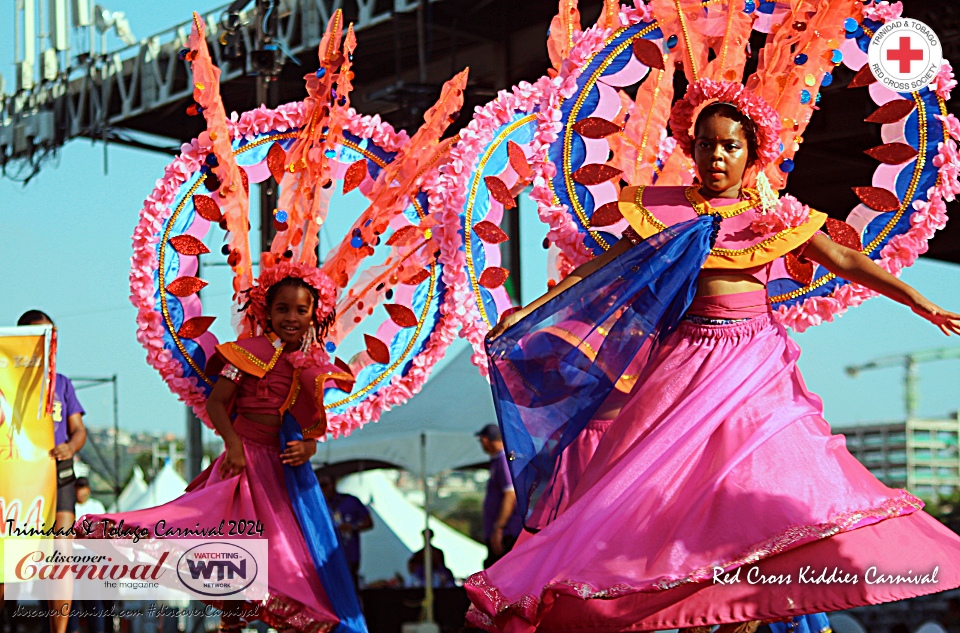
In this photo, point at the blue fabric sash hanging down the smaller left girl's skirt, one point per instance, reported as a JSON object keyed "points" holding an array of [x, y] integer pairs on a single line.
{"points": [[329, 559]]}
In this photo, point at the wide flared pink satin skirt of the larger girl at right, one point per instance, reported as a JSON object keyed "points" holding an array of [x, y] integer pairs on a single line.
{"points": [[719, 461]]}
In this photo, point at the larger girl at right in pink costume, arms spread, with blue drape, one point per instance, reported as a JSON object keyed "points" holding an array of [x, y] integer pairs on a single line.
{"points": [[717, 494]]}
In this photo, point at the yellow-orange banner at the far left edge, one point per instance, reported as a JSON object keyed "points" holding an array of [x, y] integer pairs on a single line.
{"points": [[27, 471]]}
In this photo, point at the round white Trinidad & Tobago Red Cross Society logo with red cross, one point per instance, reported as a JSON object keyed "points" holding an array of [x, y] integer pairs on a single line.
{"points": [[905, 55]]}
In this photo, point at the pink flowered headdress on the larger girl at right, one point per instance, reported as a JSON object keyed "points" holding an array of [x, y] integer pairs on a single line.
{"points": [[750, 105]]}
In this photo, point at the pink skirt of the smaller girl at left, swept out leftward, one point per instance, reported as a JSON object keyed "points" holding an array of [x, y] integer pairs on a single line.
{"points": [[296, 597]]}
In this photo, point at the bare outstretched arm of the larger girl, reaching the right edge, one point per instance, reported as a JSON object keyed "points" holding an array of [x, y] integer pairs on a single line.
{"points": [[860, 269]]}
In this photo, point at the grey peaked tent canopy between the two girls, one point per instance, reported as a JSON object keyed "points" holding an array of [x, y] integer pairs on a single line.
{"points": [[453, 405]]}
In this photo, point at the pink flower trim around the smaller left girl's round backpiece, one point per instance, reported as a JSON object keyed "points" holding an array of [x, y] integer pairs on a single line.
{"points": [[157, 209]]}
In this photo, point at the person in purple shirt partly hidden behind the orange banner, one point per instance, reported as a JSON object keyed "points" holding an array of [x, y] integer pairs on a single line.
{"points": [[69, 436]]}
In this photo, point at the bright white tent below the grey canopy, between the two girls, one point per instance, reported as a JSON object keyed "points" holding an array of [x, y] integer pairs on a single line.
{"points": [[398, 532]]}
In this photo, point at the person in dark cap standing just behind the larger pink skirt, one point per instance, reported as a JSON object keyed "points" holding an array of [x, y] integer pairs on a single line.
{"points": [[501, 516]]}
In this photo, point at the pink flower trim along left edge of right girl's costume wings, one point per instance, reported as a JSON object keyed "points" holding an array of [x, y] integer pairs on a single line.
{"points": [[449, 194]]}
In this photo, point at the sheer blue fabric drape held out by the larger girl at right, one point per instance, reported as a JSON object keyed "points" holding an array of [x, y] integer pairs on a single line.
{"points": [[551, 371]]}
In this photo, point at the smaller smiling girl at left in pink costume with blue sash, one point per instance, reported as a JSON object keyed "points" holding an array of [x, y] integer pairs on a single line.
{"points": [[267, 406]]}
